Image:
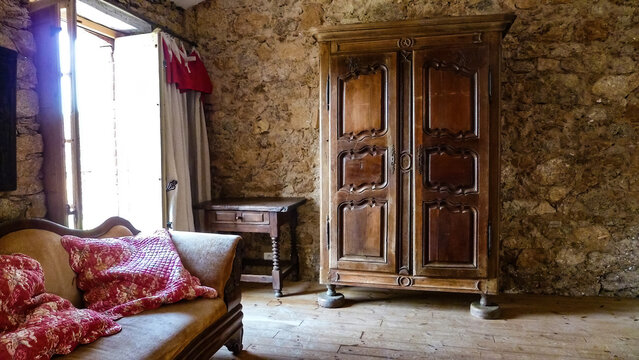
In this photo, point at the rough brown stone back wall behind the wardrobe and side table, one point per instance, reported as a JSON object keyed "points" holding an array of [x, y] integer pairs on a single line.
{"points": [[570, 198]]}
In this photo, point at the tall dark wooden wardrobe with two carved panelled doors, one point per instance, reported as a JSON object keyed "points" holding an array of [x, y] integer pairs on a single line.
{"points": [[409, 147]]}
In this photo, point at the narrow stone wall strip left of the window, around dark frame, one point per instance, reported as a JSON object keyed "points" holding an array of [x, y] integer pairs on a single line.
{"points": [[28, 199]]}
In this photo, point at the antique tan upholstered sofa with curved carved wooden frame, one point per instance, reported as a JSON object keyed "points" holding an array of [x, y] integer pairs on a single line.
{"points": [[193, 329]]}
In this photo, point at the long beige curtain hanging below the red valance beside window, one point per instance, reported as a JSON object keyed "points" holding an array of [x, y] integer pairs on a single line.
{"points": [[186, 151]]}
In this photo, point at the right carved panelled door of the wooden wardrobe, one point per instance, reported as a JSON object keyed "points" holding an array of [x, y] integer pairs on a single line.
{"points": [[452, 146]]}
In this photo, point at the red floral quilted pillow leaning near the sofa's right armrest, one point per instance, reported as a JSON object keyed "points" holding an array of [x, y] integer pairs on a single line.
{"points": [[127, 275]]}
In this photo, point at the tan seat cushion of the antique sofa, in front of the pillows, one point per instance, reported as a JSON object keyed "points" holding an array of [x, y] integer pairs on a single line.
{"points": [[155, 334]]}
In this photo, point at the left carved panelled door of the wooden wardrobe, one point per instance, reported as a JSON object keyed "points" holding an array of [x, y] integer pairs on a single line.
{"points": [[363, 187]]}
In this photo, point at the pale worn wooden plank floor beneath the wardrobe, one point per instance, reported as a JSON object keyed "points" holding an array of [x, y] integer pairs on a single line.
{"points": [[389, 324]]}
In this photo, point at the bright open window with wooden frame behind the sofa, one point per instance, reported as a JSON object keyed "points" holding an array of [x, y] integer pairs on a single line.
{"points": [[109, 157]]}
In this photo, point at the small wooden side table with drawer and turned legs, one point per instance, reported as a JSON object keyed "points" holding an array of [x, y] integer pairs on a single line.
{"points": [[258, 215]]}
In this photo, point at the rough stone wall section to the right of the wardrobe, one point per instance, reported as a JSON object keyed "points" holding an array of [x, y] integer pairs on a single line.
{"points": [[570, 166]]}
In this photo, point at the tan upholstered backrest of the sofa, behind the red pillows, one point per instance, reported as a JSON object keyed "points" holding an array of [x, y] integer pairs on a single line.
{"points": [[45, 247]]}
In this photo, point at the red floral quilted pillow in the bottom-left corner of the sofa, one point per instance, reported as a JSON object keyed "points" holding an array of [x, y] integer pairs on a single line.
{"points": [[35, 324]]}
